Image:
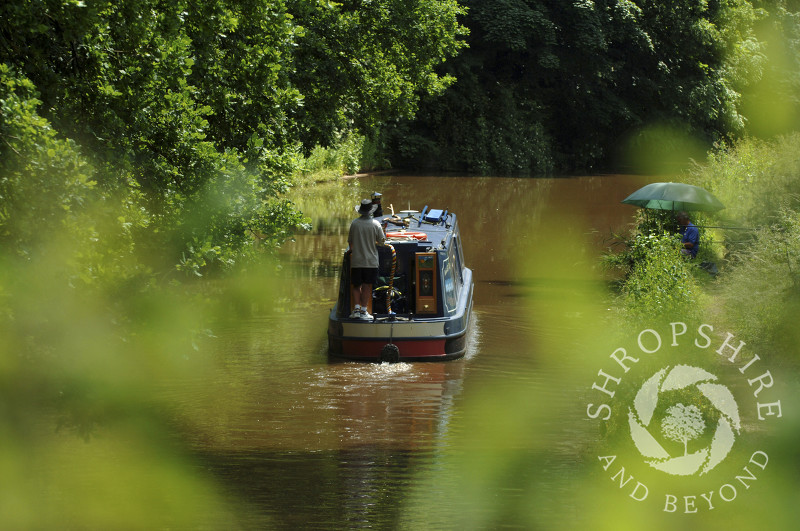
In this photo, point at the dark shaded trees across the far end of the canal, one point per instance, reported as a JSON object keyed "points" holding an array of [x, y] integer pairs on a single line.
{"points": [[548, 85]]}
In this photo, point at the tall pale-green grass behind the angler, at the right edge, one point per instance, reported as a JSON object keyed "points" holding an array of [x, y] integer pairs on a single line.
{"points": [[758, 289]]}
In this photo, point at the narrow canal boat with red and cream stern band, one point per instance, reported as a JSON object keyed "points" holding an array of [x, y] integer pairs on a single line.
{"points": [[422, 304]]}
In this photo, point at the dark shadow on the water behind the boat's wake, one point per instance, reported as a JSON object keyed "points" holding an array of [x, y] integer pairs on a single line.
{"points": [[360, 487]]}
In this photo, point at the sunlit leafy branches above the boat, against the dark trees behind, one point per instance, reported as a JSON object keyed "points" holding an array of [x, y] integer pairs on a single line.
{"points": [[360, 64]]}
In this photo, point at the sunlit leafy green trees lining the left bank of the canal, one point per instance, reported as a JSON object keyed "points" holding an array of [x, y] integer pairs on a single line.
{"points": [[186, 119]]}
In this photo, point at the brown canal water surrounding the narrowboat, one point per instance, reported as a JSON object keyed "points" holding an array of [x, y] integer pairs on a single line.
{"points": [[304, 442]]}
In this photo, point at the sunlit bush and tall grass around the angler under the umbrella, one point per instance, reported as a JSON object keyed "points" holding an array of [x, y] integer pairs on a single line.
{"points": [[757, 248]]}
